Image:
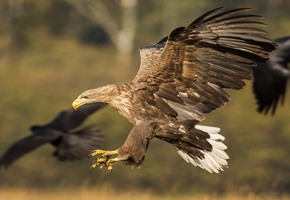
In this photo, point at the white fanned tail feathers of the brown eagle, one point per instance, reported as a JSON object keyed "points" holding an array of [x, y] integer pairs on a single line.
{"points": [[212, 161]]}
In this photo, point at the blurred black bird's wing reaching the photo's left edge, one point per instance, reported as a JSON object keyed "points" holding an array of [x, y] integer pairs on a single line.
{"points": [[26, 145]]}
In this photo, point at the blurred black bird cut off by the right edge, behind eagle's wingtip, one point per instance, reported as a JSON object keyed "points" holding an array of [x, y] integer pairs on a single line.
{"points": [[270, 78]]}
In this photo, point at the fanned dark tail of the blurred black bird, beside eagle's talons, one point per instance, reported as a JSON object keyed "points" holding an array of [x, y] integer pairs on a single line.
{"points": [[79, 144]]}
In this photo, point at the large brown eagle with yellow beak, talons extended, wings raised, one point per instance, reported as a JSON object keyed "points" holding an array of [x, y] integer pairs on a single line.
{"points": [[180, 79]]}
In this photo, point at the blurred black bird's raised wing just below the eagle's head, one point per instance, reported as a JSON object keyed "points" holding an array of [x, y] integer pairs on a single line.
{"points": [[71, 118]]}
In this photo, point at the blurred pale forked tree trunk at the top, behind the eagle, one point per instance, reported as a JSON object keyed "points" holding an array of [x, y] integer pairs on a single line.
{"points": [[121, 33]]}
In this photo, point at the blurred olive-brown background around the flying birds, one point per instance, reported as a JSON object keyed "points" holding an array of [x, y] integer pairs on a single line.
{"points": [[51, 51]]}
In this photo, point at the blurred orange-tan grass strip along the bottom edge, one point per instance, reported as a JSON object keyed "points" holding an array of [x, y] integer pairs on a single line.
{"points": [[105, 194]]}
